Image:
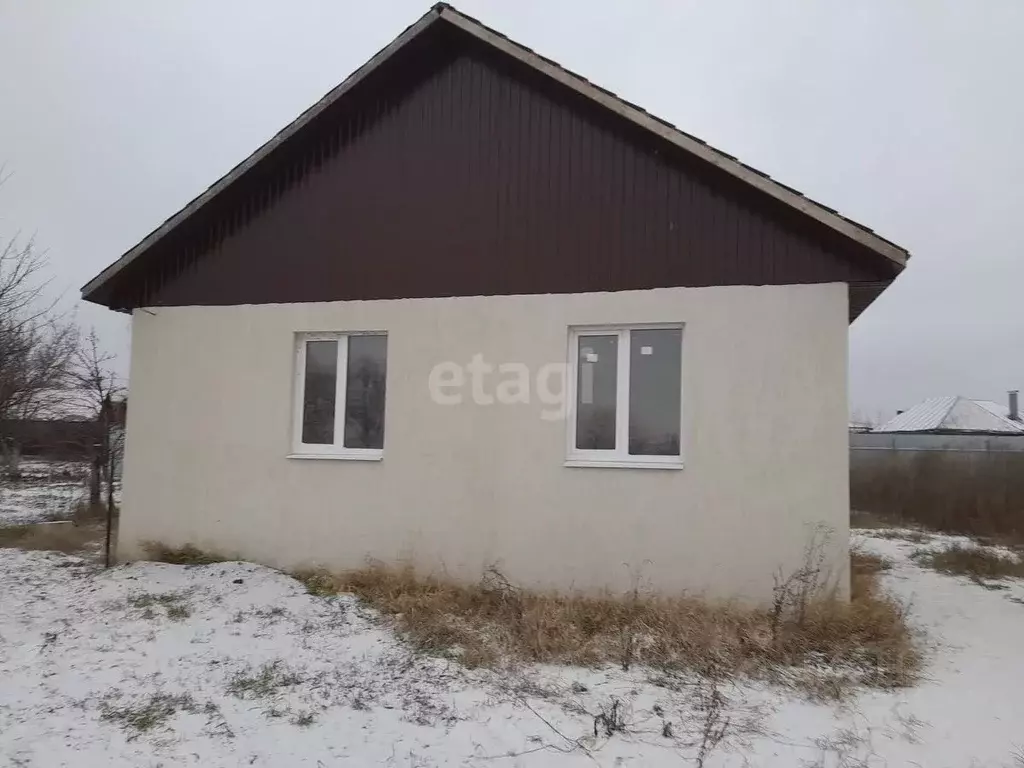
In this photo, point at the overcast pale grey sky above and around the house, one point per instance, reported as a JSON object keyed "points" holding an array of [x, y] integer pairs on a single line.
{"points": [[905, 115]]}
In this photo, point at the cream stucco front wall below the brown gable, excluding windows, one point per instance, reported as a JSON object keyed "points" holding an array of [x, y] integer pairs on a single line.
{"points": [[464, 487]]}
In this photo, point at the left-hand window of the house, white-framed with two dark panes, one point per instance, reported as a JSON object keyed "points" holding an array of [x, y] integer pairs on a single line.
{"points": [[340, 386]]}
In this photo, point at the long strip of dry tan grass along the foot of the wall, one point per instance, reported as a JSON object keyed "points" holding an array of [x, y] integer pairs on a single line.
{"points": [[493, 623]]}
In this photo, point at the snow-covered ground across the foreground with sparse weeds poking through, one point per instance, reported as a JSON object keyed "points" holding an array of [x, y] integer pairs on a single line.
{"points": [[261, 673]]}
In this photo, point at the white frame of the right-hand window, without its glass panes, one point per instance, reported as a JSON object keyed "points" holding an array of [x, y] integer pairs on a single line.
{"points": [[620, 456]]}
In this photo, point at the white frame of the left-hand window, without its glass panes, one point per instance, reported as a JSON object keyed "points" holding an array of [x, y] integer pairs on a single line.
{"points": [[337, 450]]}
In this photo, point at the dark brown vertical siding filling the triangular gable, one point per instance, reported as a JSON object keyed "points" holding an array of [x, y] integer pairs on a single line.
{"points": [[484, 180]]}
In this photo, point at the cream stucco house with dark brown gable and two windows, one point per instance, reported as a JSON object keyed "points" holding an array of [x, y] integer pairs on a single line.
{"points": [[471, 310]]}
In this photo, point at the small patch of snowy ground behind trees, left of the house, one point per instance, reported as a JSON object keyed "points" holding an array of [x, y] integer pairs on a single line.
{"points": [[47, 491]]}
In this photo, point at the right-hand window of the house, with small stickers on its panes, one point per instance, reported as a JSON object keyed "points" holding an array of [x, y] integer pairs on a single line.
{"points": [[626, 388]]}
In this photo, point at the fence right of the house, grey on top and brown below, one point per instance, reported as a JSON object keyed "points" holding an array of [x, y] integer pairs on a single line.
{"points": [[967, 484]]}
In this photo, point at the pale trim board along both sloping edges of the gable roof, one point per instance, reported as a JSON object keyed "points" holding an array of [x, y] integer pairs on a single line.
{"points": [[444, 13]]}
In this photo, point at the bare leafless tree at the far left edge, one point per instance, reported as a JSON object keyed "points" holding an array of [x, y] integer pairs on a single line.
{"points": [[37, 344]]}
